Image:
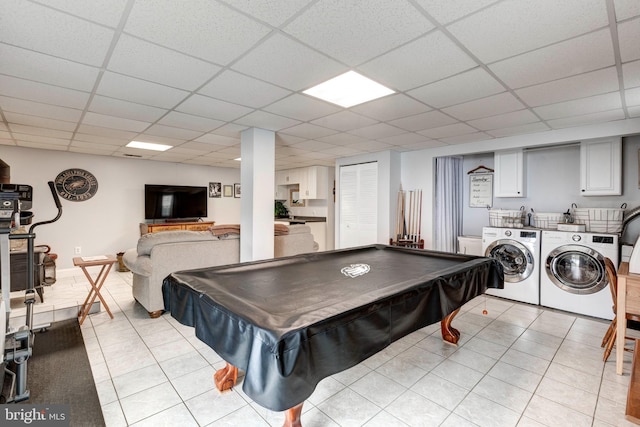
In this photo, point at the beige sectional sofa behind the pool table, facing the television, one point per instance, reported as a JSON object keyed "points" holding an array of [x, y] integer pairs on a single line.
{"points": [[159, 254]]}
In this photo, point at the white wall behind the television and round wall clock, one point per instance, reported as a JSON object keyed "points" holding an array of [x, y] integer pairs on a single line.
{"points": [[108, 222]]}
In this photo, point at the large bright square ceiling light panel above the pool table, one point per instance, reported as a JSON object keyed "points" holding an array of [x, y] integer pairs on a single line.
{"points": [[349, 89]]}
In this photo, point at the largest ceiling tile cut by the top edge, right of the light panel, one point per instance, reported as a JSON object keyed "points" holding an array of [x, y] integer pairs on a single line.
{"points": [[514, 27]]}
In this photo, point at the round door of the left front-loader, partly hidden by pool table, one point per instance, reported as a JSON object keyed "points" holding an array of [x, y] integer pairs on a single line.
{"points": [[517, 261]]}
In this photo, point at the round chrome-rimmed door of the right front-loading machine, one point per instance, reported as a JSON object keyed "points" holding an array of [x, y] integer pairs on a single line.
{"points": [[577, 269]]}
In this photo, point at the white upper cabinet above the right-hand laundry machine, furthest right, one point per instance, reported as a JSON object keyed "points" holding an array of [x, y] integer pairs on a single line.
{"points": [[601, 167]]}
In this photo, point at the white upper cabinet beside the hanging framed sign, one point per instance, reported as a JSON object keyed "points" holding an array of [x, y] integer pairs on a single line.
{"points": [[509, 173]]}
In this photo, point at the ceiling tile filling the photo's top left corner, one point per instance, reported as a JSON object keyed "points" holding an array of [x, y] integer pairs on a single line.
{"points": [[45, 30]]}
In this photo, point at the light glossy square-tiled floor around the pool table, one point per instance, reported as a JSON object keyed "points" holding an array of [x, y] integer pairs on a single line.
{"points": [[519, 365]]}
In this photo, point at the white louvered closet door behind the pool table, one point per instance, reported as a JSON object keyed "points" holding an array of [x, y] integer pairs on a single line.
{"points": [[358, 204]]}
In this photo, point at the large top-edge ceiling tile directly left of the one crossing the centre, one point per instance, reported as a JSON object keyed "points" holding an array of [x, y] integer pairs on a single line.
{"points": [[202, 28]]}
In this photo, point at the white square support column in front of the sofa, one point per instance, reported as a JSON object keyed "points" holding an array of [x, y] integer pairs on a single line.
{"points": [[257, 174]]}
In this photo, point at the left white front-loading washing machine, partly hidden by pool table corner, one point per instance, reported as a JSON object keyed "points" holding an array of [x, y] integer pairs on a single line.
{"points": [[518, 250]]}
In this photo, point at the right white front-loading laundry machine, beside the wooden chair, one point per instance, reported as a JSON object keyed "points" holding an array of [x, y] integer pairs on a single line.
{"points": [[573, 276]]}
